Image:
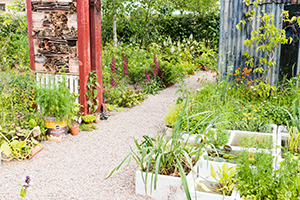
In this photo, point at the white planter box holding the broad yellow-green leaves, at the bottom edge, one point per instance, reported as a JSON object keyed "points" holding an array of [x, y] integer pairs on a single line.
{"points": [[202, 169]]}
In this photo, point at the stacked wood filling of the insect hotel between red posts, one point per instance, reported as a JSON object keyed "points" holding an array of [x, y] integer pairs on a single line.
{"points": [[55, 36]]}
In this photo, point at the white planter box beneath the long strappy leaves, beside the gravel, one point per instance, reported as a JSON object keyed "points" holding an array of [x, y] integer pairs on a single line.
{"points": [[167, 187]]}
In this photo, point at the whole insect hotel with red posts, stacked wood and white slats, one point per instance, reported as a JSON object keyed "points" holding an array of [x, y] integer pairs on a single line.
{"points": [[65, 38]]}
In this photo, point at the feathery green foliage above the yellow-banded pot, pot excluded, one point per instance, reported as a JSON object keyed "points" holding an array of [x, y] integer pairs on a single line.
{"points": [[55, 100]]}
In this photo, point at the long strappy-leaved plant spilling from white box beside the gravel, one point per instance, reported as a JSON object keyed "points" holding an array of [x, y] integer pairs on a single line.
{"points": [[166, 156]]}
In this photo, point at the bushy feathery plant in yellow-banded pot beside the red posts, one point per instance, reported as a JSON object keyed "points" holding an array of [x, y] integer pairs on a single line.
{"points": [[56, 103]]}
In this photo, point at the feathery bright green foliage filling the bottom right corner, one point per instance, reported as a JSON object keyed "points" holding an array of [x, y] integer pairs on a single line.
{"points": [[257, 179]]}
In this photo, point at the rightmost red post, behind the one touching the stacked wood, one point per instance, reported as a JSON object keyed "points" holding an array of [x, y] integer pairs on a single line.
{"points": [[96, 45]]}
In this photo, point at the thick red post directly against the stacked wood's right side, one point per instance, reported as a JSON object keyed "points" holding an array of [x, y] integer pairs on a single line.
{"points": [[84, 49]]}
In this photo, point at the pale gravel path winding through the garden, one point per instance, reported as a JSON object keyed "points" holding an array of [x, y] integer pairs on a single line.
{"points": [[76, 167]]}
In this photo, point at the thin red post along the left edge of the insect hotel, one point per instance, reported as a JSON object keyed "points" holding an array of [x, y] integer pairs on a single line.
{"points": [[30, 38]]}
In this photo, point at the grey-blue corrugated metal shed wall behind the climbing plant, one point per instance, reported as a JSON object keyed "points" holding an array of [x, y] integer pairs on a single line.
{"points": [[232, 48]]}
